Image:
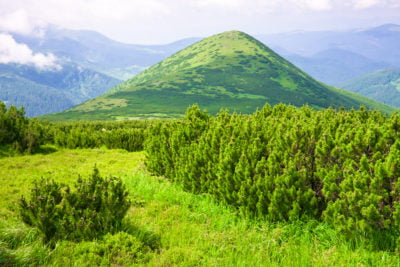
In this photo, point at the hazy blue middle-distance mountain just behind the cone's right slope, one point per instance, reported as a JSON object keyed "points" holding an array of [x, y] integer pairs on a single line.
{"points": [[335, 66]]}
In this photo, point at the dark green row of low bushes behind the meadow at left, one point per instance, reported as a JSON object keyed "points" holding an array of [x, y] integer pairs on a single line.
{"points": [[23, 135]]}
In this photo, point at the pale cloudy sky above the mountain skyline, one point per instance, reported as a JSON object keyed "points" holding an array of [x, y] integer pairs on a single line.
{"points": [[163, 21]]}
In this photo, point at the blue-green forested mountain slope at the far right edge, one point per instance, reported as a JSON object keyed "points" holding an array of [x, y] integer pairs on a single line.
{"points": [[382, 85]]}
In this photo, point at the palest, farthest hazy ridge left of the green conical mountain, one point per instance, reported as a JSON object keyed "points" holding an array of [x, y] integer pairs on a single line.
{"points": [[95, 51]]}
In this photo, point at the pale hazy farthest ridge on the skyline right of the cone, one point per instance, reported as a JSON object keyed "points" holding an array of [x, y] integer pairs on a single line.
{"points": [[378, 43]]}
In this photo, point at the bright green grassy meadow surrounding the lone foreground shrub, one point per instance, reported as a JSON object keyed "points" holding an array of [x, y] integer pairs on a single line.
{"points": [[193, 230]]}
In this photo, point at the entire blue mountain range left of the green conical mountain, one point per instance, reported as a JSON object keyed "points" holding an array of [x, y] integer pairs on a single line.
{"points": [[91, 64]]}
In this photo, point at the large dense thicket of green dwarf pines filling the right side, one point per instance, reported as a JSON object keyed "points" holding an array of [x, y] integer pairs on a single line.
{"points": [[285, 164]]}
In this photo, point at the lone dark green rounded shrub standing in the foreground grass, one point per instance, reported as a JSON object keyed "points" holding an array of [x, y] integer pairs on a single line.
{"points": [[94, 207]]}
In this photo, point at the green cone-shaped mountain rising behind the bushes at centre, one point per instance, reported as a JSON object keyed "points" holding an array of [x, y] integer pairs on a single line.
{"points": [[228, 70]]}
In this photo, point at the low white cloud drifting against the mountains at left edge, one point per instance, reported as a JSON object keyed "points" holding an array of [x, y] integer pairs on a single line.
{"points": [[13, 52]]}
